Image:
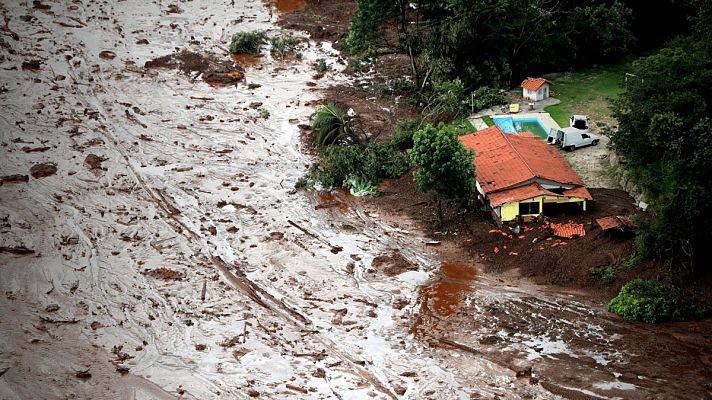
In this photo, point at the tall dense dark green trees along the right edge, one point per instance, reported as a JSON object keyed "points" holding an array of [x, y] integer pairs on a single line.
{"points": [[665, 138]]}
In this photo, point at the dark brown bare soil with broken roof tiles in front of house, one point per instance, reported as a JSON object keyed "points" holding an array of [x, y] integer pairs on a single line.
{"points": [[469, 235]]}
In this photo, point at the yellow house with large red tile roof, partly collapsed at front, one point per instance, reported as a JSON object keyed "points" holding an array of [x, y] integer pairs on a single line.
{"points": [[521, 176]]}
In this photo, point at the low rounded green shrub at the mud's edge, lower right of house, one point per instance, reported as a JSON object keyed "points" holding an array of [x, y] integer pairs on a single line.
{"points": [[651, 302]]}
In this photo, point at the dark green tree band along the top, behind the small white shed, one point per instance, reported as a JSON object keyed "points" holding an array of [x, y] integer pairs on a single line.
{"points": [[492, 42]]}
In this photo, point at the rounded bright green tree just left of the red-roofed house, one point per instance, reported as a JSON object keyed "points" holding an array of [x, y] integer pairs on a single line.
{"points": [[443, 166]]}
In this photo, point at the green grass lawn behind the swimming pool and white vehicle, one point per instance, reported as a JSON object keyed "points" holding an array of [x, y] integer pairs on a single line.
{"points": [[587, 92]]}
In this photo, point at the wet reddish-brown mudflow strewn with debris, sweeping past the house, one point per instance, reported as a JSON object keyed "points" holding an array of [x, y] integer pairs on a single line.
{"points": [[153, 246]]}
